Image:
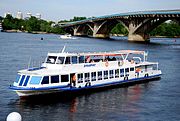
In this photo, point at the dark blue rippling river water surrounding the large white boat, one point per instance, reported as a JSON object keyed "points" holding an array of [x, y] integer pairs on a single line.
{"points": [[153, 101]]}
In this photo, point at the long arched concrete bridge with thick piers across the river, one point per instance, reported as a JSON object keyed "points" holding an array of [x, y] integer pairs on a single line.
{"points": [[138, 24]]}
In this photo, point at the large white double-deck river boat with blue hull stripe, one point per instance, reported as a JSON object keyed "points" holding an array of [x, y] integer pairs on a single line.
{"points": [[68, 72]]}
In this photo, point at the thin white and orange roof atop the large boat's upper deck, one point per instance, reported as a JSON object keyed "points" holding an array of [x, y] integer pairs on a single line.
{"points": [[112, 53]]}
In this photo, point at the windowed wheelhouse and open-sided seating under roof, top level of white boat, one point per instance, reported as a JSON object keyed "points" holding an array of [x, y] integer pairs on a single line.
{"points": [[75, 58]]}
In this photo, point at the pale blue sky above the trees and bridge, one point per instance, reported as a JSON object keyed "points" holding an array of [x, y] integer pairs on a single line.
{"points": [[57, 10]]}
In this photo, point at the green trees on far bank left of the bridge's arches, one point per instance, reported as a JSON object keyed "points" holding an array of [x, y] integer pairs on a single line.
{"points": [[33, 24]]}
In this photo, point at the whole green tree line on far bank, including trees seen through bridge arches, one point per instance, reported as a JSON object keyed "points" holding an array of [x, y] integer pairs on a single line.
{"points": [[32, 24]]}
